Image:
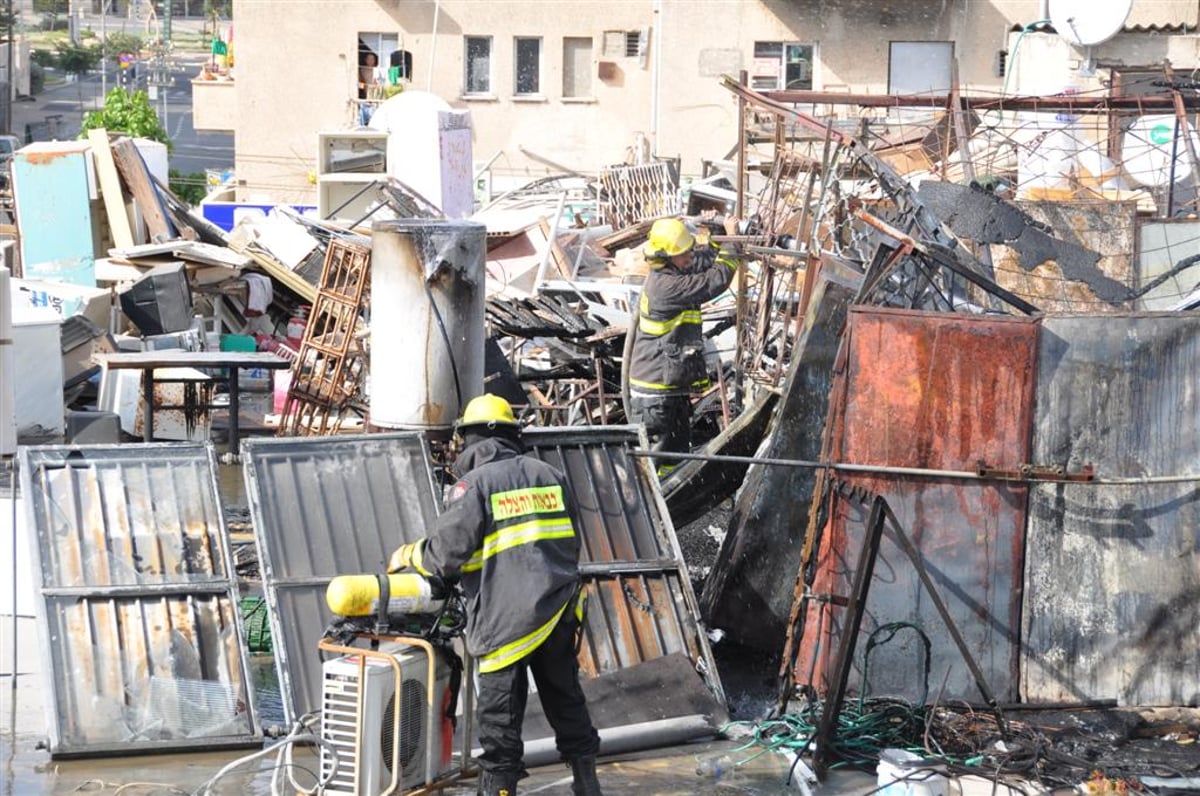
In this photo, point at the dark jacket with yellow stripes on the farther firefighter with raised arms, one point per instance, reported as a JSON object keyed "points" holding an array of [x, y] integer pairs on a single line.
{"points": [[669, 346]]}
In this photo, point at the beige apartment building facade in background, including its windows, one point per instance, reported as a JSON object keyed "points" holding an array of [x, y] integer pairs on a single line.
{"points": [[557, 87]]}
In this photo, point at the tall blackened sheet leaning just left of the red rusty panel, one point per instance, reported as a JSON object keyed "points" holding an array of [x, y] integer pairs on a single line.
{"points": [[749, 591]]}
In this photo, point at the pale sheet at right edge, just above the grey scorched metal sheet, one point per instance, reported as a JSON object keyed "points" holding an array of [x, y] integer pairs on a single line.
{"points": [[1163, 244]]}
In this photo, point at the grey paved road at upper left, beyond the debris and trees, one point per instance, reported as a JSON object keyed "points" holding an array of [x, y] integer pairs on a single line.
{"points": [[58, 113]]}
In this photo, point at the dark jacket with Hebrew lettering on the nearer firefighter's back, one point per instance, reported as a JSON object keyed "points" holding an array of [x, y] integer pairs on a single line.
{"points": [[509, 530]]}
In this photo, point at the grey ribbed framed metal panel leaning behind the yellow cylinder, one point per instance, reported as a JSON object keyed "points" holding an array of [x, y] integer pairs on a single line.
{"points": [[325, 507]]}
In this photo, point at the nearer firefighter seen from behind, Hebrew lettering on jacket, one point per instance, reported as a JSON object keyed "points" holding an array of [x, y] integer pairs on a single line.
{"points": [[511, 532]]}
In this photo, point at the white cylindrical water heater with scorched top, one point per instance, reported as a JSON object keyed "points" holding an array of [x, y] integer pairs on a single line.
{"points": [[428, 290]]}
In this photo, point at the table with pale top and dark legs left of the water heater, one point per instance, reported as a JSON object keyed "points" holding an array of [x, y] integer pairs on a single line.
{"points": [[225, 363]]}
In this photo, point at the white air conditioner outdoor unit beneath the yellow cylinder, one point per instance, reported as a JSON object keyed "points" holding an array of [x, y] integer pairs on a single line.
{"points": [[367, 743]]}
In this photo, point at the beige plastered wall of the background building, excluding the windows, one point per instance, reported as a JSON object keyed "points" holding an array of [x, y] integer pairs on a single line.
{"points": [[297, 71]]}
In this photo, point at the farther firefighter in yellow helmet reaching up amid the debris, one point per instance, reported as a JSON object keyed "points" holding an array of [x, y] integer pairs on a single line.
{"points": [[668, 361]]}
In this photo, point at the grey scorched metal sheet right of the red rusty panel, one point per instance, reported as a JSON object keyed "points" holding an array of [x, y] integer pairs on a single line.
{"points": [[1112, 582]]}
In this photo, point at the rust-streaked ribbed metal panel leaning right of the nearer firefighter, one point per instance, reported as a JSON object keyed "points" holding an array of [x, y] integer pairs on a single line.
{"points": [[641, 606]]}
